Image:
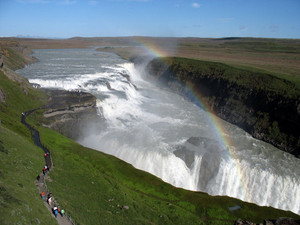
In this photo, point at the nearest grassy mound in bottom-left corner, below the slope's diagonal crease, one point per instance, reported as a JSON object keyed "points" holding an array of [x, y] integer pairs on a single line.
{"points": [[20, 162]]}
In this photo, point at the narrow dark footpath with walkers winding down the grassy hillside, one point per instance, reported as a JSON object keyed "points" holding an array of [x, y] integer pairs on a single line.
{"points": [[40, 183]]}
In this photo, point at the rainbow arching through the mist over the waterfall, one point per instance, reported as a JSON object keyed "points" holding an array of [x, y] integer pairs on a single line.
{"points": [[216, 123]]}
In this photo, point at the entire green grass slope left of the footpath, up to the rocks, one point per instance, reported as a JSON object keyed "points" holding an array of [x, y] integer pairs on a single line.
{"points": [[20, 161]]}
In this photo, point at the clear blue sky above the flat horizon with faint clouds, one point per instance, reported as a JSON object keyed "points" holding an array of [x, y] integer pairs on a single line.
{"points": [[166, 18]]}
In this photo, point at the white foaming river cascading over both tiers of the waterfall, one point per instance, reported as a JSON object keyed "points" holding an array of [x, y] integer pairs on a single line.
{"points": [[162, 133]]}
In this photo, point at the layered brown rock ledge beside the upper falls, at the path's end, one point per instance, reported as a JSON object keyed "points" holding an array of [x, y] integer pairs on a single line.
{"points": [[70, 112]]}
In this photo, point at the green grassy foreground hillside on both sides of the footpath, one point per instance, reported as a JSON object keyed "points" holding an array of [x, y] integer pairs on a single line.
{"points": [[93, 187]]}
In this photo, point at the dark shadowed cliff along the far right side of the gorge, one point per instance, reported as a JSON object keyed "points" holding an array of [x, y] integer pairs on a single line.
{"points": [[265, 106]]}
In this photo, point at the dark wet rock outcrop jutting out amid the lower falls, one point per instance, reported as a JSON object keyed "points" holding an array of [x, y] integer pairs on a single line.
{"points": [[210, 153]]}
